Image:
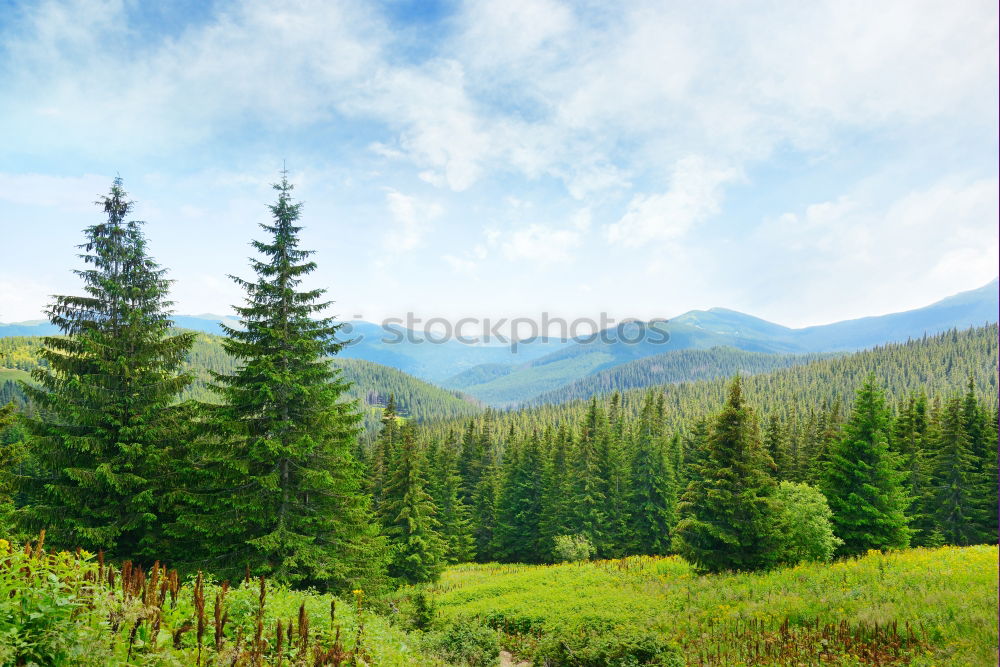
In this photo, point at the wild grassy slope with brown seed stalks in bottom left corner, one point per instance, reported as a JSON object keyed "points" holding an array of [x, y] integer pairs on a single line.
{"points": [[74, 609]]}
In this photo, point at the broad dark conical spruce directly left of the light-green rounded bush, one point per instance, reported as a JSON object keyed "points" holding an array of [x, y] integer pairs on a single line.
{"points": [[727, 518]]}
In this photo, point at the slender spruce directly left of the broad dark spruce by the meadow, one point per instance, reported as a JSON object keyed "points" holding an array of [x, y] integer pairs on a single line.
{"points": [[653, 489]]}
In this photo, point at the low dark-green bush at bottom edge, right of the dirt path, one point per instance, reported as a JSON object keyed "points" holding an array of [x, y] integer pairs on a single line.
{"points": [[620, 647]]}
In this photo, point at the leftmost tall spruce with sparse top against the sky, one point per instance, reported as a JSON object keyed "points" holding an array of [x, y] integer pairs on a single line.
{"points": [[105, 422]]}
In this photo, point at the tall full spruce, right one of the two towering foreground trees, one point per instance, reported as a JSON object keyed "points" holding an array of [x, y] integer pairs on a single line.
{"points": [[296, 511]]}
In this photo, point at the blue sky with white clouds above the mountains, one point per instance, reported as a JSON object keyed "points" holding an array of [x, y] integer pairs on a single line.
{"points": [[805, 162]]}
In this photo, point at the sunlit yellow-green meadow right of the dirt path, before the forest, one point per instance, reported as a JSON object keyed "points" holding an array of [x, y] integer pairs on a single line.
{"points": [[920, 607]]}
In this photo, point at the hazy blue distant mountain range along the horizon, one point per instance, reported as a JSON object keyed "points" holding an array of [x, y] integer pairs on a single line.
{"points": [[557, 369]]}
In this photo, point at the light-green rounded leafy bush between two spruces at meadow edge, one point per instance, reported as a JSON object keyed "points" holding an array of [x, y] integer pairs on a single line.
{"points": [[803, 520]]}
